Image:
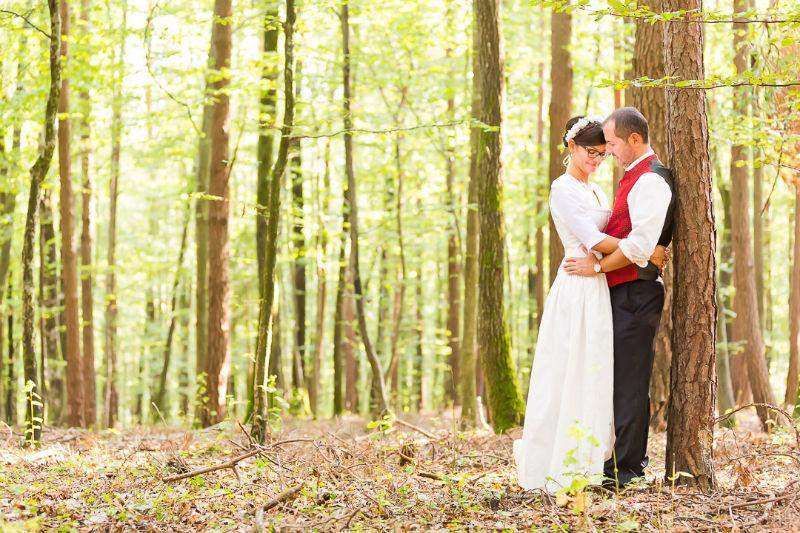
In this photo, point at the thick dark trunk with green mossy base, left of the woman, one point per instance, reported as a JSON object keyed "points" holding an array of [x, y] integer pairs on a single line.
{"points": [[503, 398]]}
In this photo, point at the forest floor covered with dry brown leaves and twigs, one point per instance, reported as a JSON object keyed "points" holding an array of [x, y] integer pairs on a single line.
{"points": [[332, 475]]}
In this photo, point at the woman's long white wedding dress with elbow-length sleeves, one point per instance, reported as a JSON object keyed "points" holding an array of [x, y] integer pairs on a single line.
{"points": [[568, 428]]}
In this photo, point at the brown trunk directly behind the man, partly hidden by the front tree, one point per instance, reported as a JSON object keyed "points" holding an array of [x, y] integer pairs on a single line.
{"points": [[648, 60]]}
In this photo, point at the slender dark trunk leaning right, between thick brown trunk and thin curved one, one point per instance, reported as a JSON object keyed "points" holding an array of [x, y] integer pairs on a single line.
{"points": [[273, 224]]}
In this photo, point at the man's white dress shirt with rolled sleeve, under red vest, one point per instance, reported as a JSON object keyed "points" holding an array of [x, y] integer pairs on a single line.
{"points": [[648, 201]]}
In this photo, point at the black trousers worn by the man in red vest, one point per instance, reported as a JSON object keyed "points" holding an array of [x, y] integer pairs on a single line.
{"points": [[636, 308]]}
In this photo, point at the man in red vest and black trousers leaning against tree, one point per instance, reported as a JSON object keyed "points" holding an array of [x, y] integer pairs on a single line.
{"points": [[642, 218]]}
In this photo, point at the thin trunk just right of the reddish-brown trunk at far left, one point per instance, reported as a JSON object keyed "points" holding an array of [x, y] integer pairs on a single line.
{"points": [[87, 299]]}
